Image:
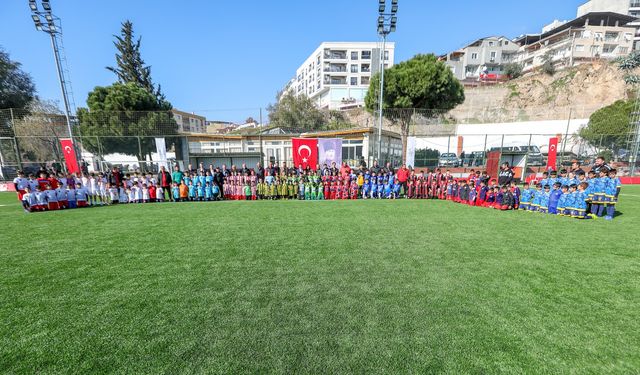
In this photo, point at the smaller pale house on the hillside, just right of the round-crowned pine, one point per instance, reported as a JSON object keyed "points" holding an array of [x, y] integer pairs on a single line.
{"points": [[483, 58]]}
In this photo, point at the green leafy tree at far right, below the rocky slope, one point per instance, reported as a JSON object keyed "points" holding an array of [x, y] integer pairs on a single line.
{"points": [[609, 127]]}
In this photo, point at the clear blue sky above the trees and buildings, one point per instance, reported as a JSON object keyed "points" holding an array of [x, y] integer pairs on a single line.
{"points": [[226, 59]]}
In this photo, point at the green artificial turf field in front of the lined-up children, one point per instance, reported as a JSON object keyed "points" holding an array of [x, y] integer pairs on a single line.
{"points": [[318, 287]]}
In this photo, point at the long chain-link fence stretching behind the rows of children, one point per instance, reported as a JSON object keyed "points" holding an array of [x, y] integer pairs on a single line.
{"points": [[458, 141]]}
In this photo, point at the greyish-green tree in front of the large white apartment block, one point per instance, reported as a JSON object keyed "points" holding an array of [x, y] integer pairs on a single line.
{"points": [[297, 112]]}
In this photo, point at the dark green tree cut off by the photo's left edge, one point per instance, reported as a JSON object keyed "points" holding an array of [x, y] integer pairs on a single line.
{"points": [[16, 87]]}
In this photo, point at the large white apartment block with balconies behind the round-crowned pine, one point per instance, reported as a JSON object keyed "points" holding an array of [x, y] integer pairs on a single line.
{"points": [[337, 74]]}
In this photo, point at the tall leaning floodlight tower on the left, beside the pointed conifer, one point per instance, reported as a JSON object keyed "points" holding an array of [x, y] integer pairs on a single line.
{"points": [[47, 22]]}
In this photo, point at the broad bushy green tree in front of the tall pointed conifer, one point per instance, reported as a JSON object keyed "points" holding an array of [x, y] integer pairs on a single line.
{"points": [[124, 118]]}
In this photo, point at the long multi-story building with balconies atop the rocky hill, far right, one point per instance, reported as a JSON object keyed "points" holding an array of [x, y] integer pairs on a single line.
{"points": [[596, 35]]}
